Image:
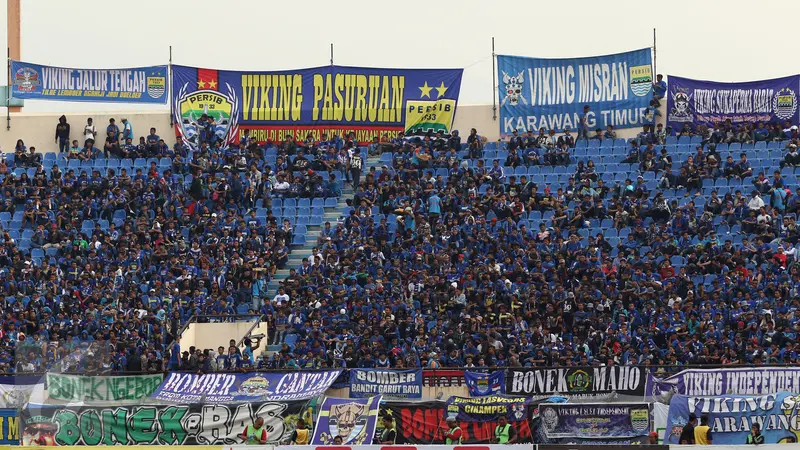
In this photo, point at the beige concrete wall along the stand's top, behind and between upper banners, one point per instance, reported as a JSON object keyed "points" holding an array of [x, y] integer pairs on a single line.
{"points": [[38, 129]]}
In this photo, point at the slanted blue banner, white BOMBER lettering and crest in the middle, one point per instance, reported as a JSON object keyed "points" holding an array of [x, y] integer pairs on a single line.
{"points": [[189, 388]]}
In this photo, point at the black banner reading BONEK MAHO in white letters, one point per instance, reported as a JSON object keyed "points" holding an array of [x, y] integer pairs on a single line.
{"points": [[624, 380]]}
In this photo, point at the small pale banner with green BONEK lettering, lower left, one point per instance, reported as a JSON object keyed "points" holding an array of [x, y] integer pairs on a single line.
{"points": [[78, 388]]}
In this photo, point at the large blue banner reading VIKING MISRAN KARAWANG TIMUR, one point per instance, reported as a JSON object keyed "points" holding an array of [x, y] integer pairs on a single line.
{"points": [[552, 93]]}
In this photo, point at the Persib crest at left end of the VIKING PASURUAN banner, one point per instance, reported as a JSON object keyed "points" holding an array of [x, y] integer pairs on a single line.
{"points": [[222, 107]]}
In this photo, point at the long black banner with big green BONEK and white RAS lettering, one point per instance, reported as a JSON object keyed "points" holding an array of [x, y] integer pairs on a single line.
{"points": [[158, 424]]}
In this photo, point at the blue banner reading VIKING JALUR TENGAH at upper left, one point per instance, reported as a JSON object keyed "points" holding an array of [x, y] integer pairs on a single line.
{"points": [[132, 85]]}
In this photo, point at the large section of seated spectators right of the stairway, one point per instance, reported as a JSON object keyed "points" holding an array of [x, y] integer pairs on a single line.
{"points": [[663, 257]]}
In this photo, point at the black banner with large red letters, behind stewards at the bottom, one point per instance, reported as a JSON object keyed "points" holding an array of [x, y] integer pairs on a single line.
{"points": [[423, 423]]}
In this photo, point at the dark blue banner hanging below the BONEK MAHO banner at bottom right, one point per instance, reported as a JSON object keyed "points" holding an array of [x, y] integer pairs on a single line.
{"points": [[595, 421]]}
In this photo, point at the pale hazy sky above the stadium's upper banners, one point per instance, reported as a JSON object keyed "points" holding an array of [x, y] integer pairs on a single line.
{"points": [[731, 40]]}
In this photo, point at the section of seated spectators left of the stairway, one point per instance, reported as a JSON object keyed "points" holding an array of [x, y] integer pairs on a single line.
{"points": [[104, 255]]}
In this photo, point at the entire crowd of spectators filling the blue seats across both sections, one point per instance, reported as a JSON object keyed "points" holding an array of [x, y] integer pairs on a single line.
{"points": [[454, 252]]}
